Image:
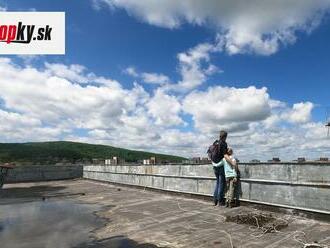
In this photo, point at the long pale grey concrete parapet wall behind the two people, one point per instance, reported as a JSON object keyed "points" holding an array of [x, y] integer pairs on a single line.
{"points": [[301, 186]]}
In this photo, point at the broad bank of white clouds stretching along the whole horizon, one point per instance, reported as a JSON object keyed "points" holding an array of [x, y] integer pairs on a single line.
{"points": [[54, 101]]}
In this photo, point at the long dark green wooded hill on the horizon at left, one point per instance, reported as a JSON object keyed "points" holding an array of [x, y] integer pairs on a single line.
{"points": [[59, 151]]}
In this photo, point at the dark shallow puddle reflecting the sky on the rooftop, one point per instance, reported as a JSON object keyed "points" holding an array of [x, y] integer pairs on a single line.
{"points": [[56, 224]]}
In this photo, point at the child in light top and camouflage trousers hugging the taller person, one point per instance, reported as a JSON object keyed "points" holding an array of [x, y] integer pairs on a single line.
{"points": [[231, 171]]}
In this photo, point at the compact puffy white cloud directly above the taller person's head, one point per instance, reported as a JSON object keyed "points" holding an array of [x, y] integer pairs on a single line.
{"points": [[227, 108]]}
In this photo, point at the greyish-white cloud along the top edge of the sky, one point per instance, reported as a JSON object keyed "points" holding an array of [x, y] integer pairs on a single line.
{"points": [[256, 26]]}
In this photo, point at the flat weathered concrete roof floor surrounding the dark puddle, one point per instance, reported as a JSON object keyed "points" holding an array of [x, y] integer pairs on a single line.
{"points": [[133, 217]]}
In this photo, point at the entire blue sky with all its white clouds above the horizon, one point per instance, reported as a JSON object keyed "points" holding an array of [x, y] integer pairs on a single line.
{"points": [[166, 76]]}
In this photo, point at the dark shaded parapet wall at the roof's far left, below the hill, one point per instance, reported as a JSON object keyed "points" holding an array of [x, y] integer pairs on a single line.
{"points": [[43, 173]]}
